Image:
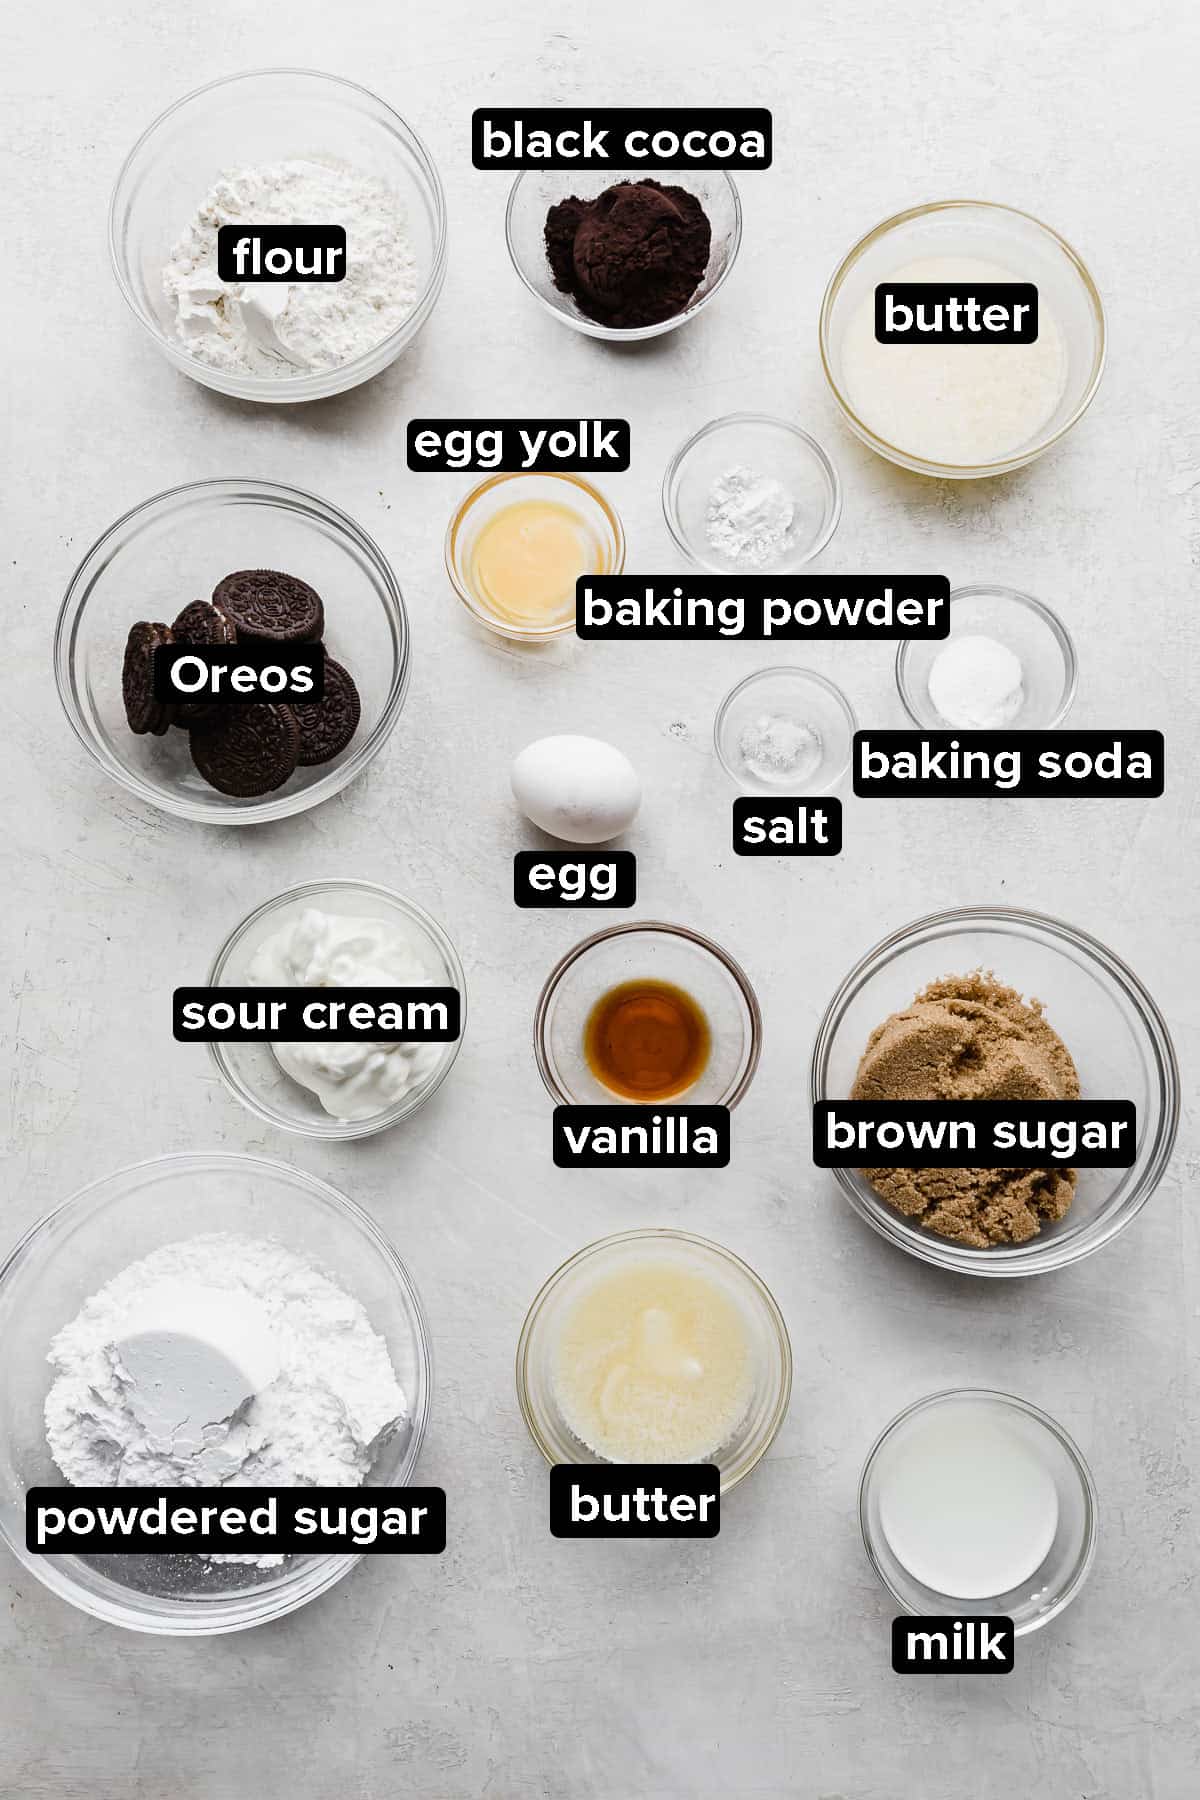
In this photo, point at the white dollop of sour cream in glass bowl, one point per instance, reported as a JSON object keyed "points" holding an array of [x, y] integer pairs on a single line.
{"points": [[334, 951]]}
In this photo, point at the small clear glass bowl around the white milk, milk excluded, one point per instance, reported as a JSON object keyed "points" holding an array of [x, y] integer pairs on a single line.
{"points": [[1066, 1567]]}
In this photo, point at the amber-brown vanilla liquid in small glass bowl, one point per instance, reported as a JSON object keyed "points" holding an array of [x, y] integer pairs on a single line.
{"points": [[647, 1041]]}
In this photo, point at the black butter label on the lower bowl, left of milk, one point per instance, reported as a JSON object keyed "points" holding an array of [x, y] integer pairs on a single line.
{"points": [[636, 1500]]}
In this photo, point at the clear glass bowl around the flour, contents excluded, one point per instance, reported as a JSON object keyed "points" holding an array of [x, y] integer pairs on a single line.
{"points": [[260, 118]]}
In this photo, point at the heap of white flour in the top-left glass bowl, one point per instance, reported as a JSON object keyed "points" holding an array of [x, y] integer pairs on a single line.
{"points": [[282, 328]]}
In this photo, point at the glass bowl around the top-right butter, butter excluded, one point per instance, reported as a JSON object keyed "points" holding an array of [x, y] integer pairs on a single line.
{"points": [[990, 233]]}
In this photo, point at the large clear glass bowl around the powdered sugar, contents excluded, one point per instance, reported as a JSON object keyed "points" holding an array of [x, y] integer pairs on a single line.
{"points": [[93, 1237]]}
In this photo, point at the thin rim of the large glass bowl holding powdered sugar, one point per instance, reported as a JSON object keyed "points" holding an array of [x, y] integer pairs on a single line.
{"points": [[323, 1572]]}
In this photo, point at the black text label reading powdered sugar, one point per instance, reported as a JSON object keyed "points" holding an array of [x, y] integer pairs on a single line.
{"points": [[210, 1522]]}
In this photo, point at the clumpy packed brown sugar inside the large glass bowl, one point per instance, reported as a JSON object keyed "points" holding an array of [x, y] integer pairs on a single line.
{"points": [[971, 1038]]}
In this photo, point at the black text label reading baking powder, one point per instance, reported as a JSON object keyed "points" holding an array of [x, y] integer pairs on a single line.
{"points": [[762, 607]]}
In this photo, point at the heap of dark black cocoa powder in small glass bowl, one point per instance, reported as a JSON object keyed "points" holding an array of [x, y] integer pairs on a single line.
{"points": [[634, 256]]}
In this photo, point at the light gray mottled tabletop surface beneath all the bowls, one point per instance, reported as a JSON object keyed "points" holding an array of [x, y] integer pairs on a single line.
{"points": [[757, 1666]]}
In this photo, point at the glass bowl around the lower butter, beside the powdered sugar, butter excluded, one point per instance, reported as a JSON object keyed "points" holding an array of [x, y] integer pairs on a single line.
{"points": [[769, 1335]]}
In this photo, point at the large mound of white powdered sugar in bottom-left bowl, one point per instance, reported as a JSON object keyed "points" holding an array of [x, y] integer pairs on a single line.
{"points": [[220, 1362]]}
